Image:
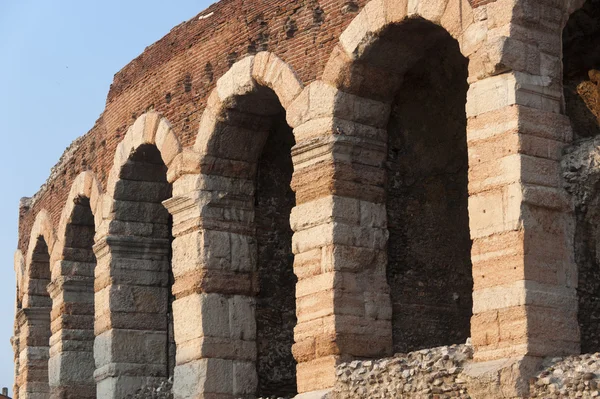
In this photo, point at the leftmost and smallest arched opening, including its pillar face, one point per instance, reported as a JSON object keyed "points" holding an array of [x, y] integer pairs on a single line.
{"points": [[37, 304]]}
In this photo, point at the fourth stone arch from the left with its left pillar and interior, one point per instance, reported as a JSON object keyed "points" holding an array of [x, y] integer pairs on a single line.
{"points": [[243, 142]]}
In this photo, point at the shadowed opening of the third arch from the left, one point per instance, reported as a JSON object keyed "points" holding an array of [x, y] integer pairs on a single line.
{"points": [[145, 227]]}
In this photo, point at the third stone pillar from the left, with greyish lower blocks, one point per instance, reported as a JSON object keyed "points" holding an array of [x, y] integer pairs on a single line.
{"points": [[131, 283]]}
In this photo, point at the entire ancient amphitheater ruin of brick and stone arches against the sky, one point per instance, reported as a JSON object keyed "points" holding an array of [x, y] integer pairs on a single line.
{"points": [[303, 197]]}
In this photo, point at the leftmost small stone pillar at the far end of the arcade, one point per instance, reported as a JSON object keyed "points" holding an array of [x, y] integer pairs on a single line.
{"points": [[33, 359]]}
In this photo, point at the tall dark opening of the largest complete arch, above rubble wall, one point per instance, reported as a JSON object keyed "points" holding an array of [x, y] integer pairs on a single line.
{"points": [[418, 68]]}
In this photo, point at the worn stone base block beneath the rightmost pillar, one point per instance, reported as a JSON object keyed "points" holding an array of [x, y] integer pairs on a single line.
{"points": [[503, 378]]}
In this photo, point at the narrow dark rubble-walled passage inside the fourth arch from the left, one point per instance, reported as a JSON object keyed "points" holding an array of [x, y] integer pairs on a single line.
{"points": [[276, 301]]}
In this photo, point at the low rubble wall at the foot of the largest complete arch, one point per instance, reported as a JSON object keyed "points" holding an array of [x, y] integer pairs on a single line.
{"points": [[428, 373]]}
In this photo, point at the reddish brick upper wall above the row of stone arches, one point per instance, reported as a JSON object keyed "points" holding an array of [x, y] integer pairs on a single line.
{"points": [[175, 75]]}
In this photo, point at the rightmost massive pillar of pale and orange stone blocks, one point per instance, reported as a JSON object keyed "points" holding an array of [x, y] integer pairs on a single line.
{"points": [[522, 226]]}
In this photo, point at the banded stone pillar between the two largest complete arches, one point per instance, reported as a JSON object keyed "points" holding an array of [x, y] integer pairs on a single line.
{"points": [[340, 224]]}
